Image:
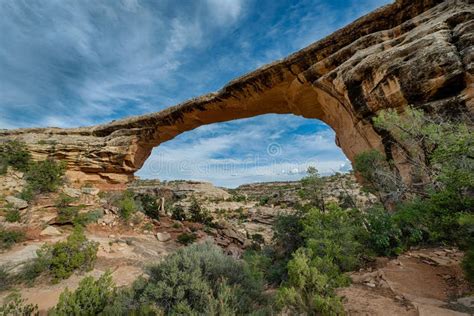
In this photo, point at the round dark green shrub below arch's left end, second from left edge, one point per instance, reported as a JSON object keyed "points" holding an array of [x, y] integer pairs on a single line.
{"points": [[45, 176]]}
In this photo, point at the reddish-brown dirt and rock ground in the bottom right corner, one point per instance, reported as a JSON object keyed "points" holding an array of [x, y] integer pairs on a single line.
{"points": [[422, 282]]}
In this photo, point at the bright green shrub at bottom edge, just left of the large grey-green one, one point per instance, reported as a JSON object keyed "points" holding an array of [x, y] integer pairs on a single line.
{"points": [[90, 298]]}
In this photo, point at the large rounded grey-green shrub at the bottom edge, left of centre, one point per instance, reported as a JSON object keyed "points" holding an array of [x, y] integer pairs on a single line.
{"points": [[201, 280]]}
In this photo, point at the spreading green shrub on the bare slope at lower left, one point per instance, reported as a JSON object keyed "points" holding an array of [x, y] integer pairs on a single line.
{"points": [[63, 258]]}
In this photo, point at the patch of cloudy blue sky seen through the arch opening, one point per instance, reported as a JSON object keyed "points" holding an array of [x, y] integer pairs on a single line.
{"points": [[240, 153]]}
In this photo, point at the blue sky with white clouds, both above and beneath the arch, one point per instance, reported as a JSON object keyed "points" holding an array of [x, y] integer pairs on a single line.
{"points": [[74, 63]]}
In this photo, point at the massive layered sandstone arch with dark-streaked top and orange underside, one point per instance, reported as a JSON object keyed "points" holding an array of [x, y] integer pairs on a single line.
{"points": [[409, 53]]}
